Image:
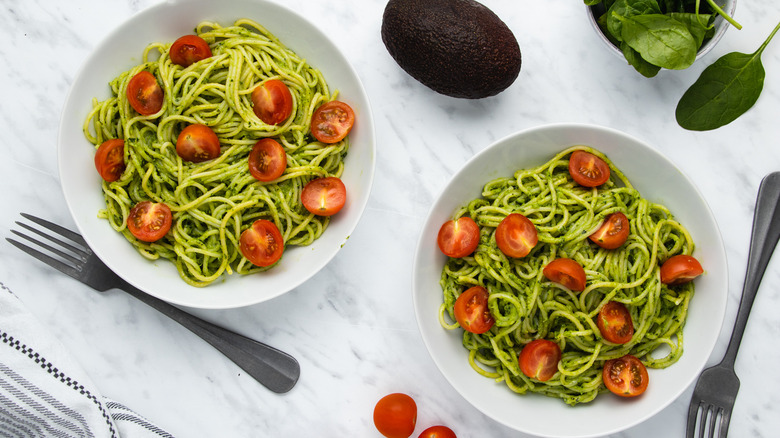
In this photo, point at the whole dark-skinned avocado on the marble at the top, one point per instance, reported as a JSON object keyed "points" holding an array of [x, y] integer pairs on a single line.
{"points": [[458, 48]]}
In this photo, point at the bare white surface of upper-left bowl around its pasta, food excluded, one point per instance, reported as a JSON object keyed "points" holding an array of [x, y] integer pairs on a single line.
{"points": [[122, 50]]}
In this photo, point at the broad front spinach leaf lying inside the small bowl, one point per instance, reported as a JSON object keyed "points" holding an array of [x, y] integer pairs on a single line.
{"points": [[660, 39]]}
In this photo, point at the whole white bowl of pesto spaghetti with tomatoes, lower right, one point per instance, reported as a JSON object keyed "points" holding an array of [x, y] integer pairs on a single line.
{"points": [[667, 216]]}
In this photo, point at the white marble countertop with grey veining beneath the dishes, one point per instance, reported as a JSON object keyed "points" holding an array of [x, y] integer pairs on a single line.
{"points": [[352, 326]]}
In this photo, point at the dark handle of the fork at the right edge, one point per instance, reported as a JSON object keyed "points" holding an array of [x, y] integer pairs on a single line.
{"points": [[764, 237]]}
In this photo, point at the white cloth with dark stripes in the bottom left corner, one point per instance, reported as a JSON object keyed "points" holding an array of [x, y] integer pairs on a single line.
{"points": [[45, 393]]}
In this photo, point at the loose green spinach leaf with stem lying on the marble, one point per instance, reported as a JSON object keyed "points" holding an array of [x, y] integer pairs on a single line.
{"points": [[724, 91]]}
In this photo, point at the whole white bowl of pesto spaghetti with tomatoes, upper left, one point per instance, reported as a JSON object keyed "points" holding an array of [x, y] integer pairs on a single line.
{"points": [[213, 195]]}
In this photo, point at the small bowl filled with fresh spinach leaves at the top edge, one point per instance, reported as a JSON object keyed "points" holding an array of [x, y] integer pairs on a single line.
{"points": [[656, 34]]}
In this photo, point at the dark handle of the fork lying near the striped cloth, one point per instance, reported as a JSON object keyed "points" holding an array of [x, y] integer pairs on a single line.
{"points": [[274, 369]]}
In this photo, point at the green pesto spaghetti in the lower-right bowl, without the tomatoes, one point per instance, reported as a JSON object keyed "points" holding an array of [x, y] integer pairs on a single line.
{"points": [[526, 306]]}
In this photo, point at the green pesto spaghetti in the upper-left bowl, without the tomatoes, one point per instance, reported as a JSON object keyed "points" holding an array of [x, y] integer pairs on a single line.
{"points": [[214, 201]]}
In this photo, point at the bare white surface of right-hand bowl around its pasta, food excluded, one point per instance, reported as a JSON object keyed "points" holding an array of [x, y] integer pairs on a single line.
{"points": [[657, 179]]}
